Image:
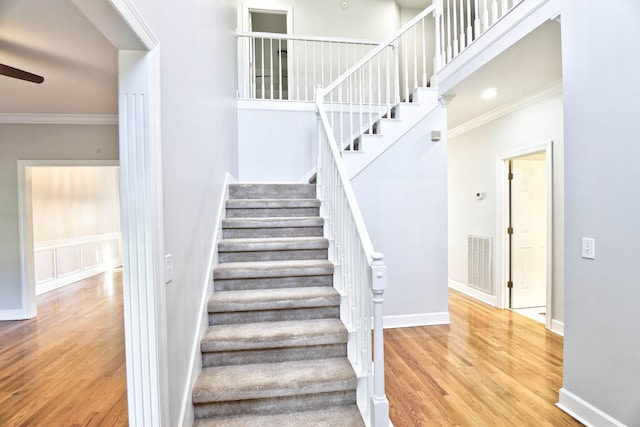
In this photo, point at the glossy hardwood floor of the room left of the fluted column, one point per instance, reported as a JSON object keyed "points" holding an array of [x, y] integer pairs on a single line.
{"points": [[66, 367]]}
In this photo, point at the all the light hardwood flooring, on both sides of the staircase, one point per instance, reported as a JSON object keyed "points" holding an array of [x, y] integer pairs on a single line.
{"points": [[488, 368]]}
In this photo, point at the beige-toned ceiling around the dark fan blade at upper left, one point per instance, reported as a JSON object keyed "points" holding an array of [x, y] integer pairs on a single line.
{"points": [[52, 38]]}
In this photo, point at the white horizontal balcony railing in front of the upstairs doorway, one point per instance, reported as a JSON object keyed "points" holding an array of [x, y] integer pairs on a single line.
{"points": [[284, 67]]}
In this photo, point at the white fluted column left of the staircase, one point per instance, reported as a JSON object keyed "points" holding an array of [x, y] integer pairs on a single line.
{"points": [[142, 241]]}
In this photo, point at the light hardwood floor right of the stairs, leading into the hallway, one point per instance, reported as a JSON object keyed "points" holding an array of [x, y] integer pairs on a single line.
{"points": [[489, 367]]}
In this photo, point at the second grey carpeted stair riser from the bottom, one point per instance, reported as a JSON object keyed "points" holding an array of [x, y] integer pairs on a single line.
{"points": [[243, 357]]}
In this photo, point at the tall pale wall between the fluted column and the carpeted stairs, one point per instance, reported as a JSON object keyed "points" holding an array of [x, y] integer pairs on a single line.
{"points": [[199, 125]]}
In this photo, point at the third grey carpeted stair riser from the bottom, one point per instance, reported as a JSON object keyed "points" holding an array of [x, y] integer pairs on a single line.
{"points": [[306, 313]]}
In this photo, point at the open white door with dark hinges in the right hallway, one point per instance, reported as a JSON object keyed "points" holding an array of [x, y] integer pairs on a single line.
{"points": [[529, 239]]}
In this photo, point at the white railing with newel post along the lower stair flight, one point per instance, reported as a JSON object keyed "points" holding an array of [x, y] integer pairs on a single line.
{"points": [[360, 274]]}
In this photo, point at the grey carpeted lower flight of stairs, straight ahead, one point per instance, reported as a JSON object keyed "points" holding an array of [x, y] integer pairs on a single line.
{"points": [[275, 353]]}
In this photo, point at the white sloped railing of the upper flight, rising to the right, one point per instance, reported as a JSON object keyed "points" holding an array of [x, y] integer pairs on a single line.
{"points": [[387, 75]]}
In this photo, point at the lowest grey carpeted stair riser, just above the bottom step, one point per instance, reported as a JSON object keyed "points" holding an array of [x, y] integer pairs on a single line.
{"points": [[276, 405]]}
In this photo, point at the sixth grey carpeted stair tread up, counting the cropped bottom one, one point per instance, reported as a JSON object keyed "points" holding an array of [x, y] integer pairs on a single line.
{"points": [[272, 243]]}
